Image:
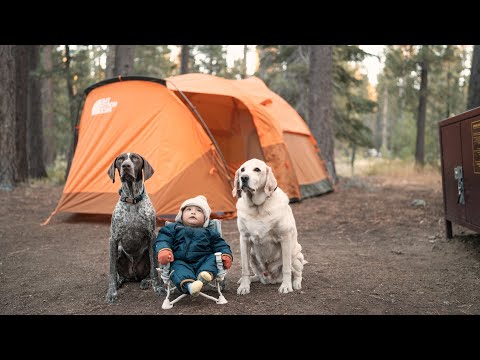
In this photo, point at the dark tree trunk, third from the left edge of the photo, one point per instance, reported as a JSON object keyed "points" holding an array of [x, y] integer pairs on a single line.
{"points": [[36, 166]]}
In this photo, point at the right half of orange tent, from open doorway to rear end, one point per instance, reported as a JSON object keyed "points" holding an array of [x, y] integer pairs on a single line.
{"points": [[249, 120]]}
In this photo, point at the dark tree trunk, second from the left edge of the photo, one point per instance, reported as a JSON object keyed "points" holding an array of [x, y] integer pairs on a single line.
{"points": [[21, 105]]}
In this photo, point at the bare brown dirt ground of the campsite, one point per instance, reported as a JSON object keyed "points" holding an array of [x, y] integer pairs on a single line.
{"points": [[369, 251]]}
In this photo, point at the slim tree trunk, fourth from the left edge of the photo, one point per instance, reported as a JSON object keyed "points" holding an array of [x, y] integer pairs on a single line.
{"points": [[50, 148]]}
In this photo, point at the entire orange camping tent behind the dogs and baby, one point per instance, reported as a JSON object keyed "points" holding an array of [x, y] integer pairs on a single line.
{"points": [[195, 130]]}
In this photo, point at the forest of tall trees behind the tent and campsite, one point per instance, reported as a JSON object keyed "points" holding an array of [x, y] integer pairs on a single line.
{"points": [[396, 118]]}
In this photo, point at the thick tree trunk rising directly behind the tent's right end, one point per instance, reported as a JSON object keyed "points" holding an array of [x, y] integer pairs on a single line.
{"points": [[320, 103]]}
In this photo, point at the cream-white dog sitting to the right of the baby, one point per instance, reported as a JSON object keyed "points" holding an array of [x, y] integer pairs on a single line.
{"points": [[268, 234]]}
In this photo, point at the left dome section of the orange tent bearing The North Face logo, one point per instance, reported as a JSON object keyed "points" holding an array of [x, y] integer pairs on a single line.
{"points": [[140, 114]]}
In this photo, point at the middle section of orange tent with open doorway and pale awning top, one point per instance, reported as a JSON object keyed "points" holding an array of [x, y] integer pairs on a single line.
{"points": [[243, 129]]}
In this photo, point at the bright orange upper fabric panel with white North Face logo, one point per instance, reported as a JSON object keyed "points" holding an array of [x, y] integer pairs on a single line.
{"points": [[137, 116]]}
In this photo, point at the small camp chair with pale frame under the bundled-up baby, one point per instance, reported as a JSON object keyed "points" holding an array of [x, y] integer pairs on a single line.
{"points": [[218, 282]]}
